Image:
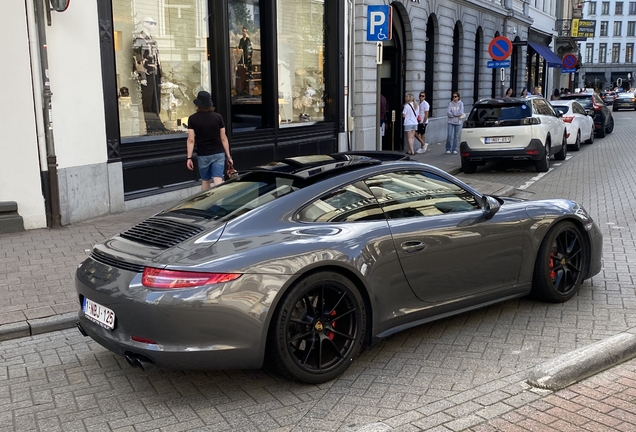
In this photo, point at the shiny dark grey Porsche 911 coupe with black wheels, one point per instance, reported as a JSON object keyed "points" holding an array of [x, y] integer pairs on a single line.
{"points": [[301, 263]]}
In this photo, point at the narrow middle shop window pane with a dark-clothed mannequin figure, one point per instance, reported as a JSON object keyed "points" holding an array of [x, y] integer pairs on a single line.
{"points": [[245, 64]]}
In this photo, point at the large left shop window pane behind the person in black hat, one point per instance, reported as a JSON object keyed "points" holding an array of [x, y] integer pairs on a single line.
{"points": [[161, 62]]}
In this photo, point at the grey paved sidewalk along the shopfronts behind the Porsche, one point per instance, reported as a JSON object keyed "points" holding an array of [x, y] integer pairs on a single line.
{"points": [[37, 267]]}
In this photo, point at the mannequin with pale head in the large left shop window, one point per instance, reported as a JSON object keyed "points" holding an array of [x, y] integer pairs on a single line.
{"points": [[148, 71]]}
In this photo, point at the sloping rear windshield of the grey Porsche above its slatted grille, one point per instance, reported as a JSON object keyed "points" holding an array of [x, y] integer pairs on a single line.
{"points": [[234, 198]]}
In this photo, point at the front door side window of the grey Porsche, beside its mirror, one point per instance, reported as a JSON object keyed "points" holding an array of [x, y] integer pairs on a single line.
{"points": [[406, 194]]}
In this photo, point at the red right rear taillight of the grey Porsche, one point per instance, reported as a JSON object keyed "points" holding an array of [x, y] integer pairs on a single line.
{"points": [[169, 279]]}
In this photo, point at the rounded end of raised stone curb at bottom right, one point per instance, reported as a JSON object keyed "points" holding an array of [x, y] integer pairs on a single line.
{"points": [[584, 362]]}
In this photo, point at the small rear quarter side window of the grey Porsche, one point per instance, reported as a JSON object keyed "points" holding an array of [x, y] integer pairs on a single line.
{"points": [[351, 203]]}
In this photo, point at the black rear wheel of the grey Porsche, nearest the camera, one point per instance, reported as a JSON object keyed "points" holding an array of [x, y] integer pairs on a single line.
{"points": [[318, 329]]}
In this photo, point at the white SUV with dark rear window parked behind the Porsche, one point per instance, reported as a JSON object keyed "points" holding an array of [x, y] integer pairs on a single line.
{"points": [[512, 129]]}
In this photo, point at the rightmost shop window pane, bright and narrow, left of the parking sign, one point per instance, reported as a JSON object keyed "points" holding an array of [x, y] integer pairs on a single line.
{"points": [[301, 44]]}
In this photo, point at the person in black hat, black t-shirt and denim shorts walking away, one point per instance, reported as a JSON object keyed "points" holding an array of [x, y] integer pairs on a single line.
{"points": [[206, 129]]}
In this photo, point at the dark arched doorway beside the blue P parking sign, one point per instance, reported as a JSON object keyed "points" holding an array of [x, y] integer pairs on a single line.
{"points": [[392, 86]]}
